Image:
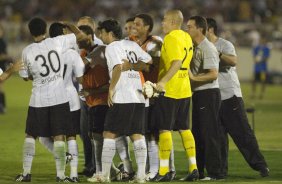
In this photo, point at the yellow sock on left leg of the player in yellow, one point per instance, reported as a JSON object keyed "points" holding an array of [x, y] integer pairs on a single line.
{"points": [[165, 145]]}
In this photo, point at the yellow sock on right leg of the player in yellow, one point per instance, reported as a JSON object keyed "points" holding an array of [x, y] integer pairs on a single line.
{"points": [[189, 145]]}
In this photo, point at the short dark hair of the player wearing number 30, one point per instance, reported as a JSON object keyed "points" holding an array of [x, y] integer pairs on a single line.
{"points": [[37, 26]]}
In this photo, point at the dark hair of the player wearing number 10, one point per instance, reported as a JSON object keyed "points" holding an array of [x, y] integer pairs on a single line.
{"points": [[111, 25]]}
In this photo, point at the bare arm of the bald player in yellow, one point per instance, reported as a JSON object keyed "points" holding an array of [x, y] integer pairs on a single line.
{"points": [[175, 66]]}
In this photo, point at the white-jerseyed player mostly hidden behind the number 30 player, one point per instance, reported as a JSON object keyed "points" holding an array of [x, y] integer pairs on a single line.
{"points": [[73, 65]]}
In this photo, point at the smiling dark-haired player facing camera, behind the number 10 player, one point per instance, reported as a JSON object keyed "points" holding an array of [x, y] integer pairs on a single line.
{"points": [[143, 25]]}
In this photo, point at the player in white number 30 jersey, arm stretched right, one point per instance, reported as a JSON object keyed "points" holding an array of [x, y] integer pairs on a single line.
{"points": [[48, 110]]}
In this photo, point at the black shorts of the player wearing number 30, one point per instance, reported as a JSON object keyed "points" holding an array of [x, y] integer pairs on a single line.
{"points": [[48, 121]]}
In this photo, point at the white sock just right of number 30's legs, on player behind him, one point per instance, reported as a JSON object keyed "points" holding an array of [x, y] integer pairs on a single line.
{"points": [[73, 150]]}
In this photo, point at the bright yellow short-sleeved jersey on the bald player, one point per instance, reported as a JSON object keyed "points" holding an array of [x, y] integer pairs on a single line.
{"points": [[177, 46]]}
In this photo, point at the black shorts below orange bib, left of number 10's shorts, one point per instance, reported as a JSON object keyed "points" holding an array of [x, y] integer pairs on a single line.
{"points": [[97, 115]]}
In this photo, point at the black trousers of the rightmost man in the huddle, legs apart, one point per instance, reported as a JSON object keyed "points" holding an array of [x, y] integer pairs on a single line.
{"points": [[233, 121]]}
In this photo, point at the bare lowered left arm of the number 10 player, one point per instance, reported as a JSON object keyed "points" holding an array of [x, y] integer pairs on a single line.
{"points": [[115, 78]]}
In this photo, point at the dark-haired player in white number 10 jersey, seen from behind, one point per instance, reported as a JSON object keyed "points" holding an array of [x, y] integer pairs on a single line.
{"points": [[125, 97]]}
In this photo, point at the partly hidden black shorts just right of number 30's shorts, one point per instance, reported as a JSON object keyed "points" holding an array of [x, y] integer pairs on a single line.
{"points": [[73, 127]]}
